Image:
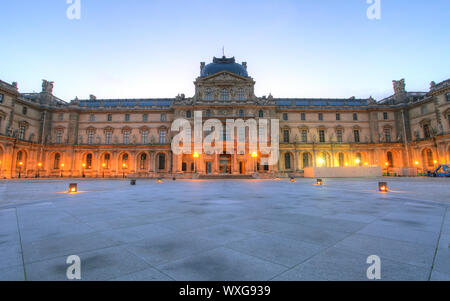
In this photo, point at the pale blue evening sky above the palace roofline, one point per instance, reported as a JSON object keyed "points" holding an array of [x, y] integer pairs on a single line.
{"points": [[146, 48]]}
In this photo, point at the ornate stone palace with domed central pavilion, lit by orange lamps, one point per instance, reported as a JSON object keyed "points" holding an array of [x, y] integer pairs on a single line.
{"points": [[43, 136]]}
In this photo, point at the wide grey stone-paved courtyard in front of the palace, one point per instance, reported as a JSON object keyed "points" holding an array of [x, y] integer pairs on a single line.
{"points": [[225, 230]]}
